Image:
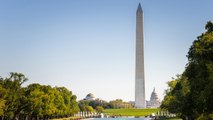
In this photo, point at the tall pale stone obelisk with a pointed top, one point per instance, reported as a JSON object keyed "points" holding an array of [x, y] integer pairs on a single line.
{"points": [[139, 68]]}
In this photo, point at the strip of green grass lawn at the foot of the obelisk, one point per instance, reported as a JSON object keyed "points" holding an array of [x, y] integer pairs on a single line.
{"points": [[130, 112]]}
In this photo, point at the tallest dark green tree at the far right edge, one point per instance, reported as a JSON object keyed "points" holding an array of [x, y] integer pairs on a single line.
{"points": [[200, 72]]}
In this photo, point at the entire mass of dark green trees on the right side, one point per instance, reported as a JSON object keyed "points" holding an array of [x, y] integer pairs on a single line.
{"points": [[191, 94]]}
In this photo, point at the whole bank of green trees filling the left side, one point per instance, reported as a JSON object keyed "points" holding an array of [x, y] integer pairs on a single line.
{"points": [[34, 101]]}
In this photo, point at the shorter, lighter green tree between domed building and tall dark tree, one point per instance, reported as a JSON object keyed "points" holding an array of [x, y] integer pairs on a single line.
{"points": [[175, 99]]}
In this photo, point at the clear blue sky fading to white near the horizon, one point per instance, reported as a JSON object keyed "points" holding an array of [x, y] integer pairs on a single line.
{"points": [[88, 46]]}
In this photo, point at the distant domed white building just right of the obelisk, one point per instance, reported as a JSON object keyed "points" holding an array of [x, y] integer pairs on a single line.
{"points": [[154, 102]]}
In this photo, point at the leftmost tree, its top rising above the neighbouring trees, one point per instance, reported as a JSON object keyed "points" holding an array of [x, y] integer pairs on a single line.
{"points": [[13, 99]]}
